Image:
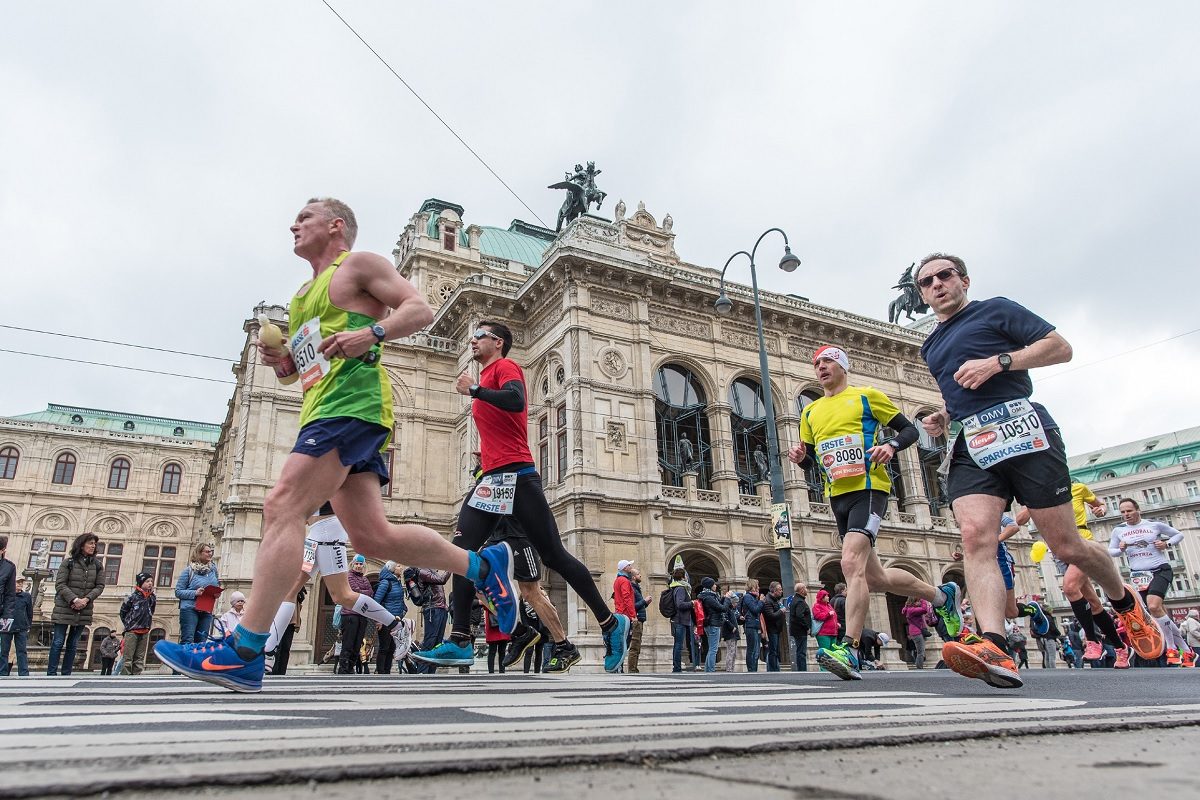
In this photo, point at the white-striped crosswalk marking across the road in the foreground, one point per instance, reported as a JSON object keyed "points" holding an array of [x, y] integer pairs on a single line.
{"points": [[179, 733]]}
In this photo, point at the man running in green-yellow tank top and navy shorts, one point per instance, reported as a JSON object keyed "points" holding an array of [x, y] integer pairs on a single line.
{"points": [[339, 321]]}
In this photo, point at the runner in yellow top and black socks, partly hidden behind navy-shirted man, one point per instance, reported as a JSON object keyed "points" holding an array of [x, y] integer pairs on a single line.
{"points": [[1077, 587]]}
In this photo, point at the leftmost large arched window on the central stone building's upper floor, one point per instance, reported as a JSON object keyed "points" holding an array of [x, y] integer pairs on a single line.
{"points": [[685, 444]]}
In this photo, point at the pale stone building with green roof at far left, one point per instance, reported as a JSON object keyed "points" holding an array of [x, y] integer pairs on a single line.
{"points": [[133, 480]]}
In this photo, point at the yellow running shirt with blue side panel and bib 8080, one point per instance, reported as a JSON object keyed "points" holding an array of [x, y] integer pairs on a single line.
{"points": [[839, 431]]}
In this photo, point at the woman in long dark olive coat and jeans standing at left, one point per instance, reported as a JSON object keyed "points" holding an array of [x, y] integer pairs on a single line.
{"points": [[77, 586]]}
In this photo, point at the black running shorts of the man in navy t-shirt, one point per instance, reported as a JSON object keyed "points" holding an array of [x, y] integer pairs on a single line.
{"points": [[1039, 480]]}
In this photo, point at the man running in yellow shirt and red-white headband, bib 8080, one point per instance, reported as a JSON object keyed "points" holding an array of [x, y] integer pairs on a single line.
{"points": [[843, 432]]}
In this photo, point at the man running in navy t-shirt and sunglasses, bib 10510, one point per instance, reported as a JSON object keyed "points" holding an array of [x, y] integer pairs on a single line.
{"points": [[1006, 448]]}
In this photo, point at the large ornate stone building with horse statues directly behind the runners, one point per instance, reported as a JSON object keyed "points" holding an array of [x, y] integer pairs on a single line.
{"points": [[646, 411]]}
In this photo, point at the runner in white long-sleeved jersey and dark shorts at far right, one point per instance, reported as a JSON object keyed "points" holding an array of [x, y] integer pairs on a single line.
{"points": [[1144, 544]]}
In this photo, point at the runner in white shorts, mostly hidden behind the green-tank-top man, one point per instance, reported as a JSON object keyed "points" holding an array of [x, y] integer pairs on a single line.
{"points": [[325, 555]]}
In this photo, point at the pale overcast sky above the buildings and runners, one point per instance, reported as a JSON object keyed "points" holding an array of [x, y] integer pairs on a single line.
{"points": [[153, 157]]}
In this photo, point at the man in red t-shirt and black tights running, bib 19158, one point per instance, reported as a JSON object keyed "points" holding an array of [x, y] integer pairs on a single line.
{"points": [[511, 489]]}
